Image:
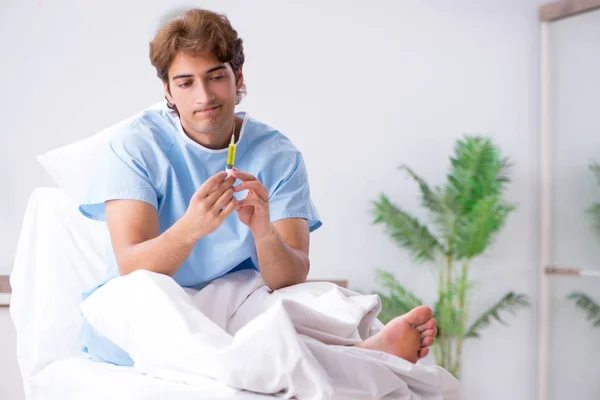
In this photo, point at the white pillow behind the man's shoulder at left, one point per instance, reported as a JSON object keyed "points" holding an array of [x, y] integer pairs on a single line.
{"points": [[72, 166]]}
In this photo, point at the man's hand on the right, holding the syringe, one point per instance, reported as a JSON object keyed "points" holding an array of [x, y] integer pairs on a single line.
{"points": [[253, 210]]}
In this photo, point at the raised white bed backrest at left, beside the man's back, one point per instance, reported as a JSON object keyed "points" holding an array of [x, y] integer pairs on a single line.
{"points": [[60, 254]]}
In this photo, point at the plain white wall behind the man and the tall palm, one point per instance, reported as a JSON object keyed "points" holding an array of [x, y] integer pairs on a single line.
{"points": [[360, 89]]}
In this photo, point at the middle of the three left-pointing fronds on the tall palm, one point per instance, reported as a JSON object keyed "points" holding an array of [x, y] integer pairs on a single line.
{"points": [[406, 230]]}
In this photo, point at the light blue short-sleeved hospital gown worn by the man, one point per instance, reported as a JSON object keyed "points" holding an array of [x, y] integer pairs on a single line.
{"points": [[153, 160]]}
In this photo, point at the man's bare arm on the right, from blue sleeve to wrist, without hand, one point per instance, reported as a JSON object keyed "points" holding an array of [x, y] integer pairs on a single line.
{"points": [[283, 253]]}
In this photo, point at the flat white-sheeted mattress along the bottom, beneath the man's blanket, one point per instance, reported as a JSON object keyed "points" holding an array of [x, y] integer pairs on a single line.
{"points": [[81, 378]]}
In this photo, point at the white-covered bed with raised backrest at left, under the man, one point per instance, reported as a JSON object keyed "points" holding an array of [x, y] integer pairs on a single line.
{"points": [[59, 254]]}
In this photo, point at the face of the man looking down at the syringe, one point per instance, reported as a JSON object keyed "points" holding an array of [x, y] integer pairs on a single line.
{"points": [[204, 91]]}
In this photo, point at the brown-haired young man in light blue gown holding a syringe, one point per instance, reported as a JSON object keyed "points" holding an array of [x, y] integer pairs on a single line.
{"points": [[170, 207]]}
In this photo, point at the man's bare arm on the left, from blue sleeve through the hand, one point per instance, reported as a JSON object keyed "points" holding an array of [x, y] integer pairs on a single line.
{"points": [[134, 228]]}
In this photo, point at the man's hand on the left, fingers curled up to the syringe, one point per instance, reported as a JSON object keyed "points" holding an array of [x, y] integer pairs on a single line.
{"points": [[210, 206]]}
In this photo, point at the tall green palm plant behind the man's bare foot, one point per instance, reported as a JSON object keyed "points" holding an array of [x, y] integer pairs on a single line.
{"points": [[466, 214]]}
